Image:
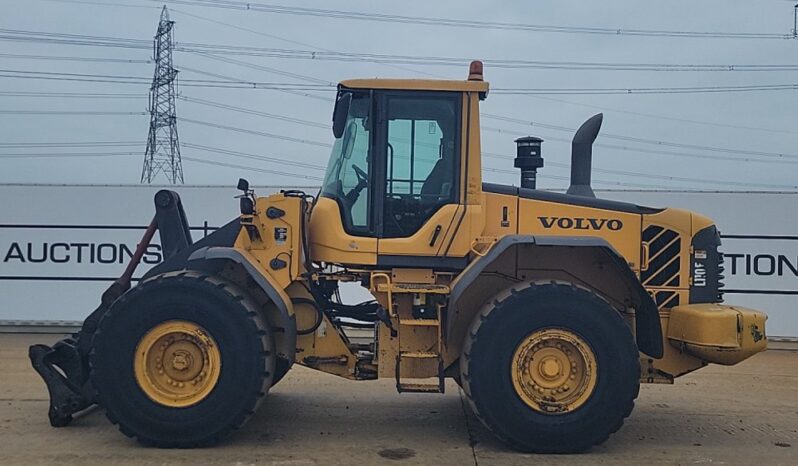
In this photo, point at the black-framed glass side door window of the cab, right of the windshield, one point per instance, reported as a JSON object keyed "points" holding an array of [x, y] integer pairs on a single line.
{"points": [[422, 160]]}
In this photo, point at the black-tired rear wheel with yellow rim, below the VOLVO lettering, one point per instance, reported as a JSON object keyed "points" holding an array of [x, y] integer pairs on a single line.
{"points": [[581, 326]]}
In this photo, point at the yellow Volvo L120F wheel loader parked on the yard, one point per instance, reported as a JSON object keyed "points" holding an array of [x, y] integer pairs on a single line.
{"points": [[549, 310]]}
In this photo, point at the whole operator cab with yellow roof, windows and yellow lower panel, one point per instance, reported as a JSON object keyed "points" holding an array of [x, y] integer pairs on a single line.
{"points": [[396, 169]]}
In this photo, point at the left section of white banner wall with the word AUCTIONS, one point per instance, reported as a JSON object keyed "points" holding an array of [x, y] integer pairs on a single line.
{"points": [[61, 246]]}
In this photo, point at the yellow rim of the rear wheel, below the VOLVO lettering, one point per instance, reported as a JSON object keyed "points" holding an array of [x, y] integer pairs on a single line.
{"points": [[554, 371]]}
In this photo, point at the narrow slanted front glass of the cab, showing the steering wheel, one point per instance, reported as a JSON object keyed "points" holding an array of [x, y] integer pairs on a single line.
{"points": [[346, 179]]}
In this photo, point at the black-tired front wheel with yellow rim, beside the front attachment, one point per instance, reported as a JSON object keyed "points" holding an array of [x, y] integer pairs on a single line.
{"points": [[240, 343]]}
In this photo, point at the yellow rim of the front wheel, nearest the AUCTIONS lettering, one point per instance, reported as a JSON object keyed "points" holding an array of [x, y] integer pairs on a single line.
{"points": [[177, 363]]}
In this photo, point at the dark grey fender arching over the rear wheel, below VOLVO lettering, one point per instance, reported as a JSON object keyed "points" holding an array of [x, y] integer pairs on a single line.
{"points": [[647, 324]]}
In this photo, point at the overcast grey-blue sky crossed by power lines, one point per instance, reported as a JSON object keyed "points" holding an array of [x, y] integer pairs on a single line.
{"points": [[747, 121]]}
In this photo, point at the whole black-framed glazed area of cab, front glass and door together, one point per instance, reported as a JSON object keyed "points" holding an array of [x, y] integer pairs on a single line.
{"points": [[398, 151]]}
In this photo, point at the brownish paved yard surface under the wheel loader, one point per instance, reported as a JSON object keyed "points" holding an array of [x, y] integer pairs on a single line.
{"points": [[745, 415]]}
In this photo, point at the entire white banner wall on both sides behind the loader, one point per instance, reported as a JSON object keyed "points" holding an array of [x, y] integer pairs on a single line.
{"points": [[60, 246]]}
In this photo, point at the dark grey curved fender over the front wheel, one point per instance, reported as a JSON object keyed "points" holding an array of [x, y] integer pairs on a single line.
{"points": [[286, 342]]}
